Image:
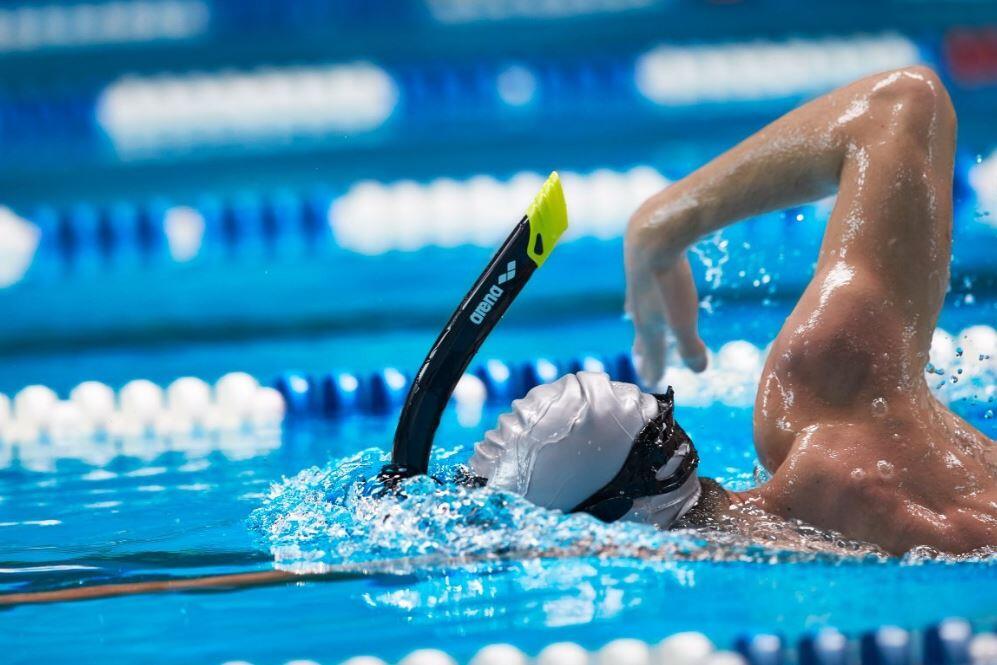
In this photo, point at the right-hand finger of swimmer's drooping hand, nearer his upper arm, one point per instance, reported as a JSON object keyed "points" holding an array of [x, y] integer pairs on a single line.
{"points": [[681, 310]]}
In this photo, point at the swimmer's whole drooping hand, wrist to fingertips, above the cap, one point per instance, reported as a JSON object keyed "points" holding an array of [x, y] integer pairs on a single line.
{"points": [[661, 294]]}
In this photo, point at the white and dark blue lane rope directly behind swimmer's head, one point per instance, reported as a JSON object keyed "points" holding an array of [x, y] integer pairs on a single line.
{"points": [[963, 367]]}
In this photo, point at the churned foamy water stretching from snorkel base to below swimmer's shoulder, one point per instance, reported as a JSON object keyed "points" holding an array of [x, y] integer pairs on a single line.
{"points": [[340, 514]]}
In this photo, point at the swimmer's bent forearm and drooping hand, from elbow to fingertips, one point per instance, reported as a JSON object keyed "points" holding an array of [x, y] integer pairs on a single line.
{"points": [[797, 158]]}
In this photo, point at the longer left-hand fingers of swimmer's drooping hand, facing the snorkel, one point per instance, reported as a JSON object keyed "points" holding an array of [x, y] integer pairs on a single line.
{"points": [[646, 310]]}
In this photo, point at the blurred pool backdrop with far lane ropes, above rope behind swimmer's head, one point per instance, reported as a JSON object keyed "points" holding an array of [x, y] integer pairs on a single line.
{"points": [[197, 186]]}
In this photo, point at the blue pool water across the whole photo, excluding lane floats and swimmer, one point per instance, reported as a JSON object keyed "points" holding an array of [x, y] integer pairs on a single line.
{"points": [[103, 302]]}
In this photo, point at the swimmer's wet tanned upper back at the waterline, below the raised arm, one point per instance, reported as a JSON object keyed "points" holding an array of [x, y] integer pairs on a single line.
{"points": [[863, 481]]}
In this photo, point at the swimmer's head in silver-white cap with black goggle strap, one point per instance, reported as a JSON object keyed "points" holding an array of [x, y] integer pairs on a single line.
{"points": [[587, 443]]}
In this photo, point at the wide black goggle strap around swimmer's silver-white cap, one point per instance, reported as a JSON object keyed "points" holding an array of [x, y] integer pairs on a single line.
{"points": [[653, 447]]}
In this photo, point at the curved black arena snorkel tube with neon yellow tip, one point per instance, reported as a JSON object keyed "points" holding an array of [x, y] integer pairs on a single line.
{"points": [[525, 250]]}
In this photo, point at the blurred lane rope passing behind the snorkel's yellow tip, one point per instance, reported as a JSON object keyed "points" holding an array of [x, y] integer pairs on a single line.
{"points": [[371, 218]]}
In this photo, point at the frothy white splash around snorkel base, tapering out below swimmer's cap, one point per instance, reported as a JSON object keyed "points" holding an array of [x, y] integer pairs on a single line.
{"points": [[341, 514]]}
